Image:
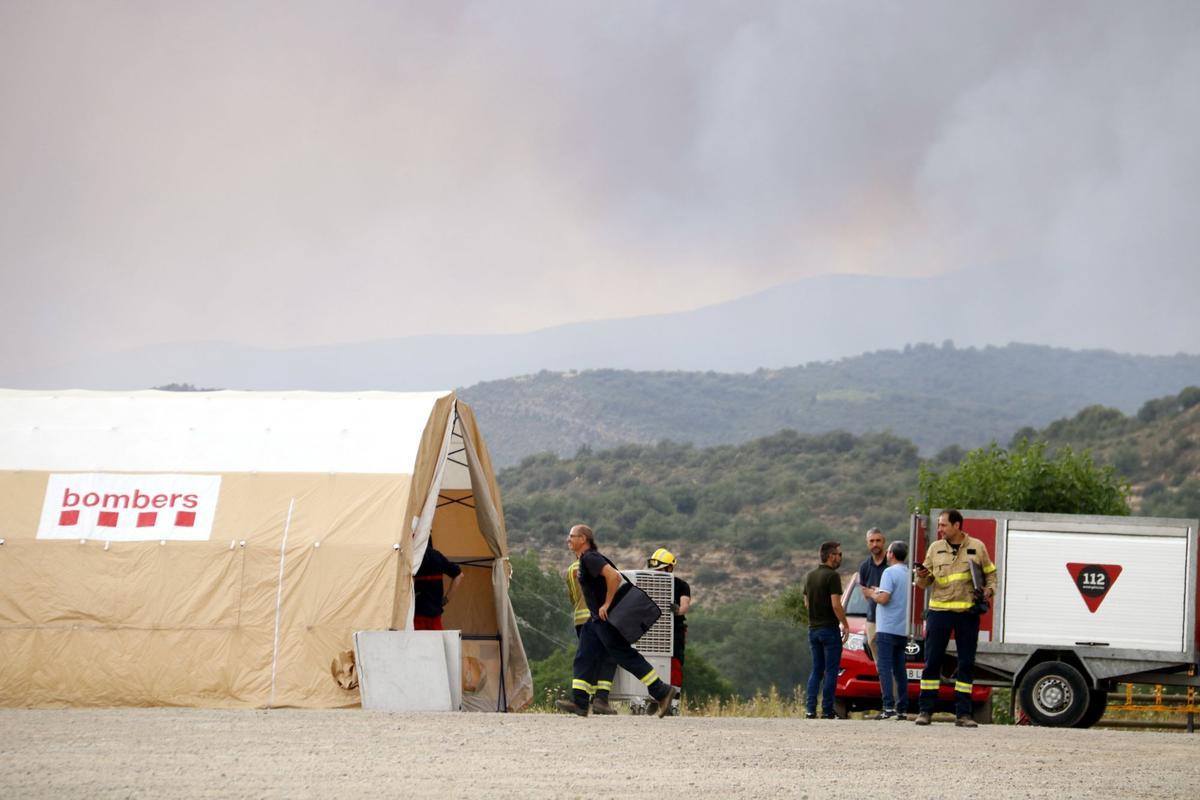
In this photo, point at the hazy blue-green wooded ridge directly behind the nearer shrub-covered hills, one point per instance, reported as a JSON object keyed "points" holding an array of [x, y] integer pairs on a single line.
{"points": [[935, 396]]}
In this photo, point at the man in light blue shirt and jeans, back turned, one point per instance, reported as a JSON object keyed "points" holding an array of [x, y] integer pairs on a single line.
{"points": [[891, 619]]}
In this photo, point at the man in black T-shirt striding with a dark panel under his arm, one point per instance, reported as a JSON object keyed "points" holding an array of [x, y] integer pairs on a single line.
{"points": [[599, 641]]}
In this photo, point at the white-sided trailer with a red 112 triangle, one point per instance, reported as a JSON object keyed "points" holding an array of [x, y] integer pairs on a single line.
{"points": [[1083, 603]]}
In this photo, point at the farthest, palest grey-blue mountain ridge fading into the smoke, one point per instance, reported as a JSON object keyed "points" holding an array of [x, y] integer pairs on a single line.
{"points": [[815, 320]]}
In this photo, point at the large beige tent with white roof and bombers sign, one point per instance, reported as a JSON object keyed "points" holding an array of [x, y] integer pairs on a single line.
{"points": [[221, 549]]}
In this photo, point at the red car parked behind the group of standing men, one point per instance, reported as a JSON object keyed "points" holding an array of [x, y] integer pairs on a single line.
{"points": [[859, 683]]}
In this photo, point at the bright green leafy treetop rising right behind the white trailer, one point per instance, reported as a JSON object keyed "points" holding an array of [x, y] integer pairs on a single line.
{"points": [[1024, 479]]}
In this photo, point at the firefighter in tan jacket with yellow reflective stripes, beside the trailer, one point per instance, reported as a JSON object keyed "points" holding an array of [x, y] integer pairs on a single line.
{"points": [[955, 607]]}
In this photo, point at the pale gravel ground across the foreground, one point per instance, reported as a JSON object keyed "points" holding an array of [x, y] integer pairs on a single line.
{"points": [[333, 755]]}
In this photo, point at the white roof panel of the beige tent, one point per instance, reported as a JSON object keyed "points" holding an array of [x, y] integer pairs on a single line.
{"points": [[213, 432]]}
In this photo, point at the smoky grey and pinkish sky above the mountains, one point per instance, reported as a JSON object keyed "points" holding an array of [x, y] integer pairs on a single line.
{"points": [[298, 173]]}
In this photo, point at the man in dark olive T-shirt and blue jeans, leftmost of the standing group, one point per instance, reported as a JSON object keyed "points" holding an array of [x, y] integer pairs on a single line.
{"points": [[823, 598]]}
